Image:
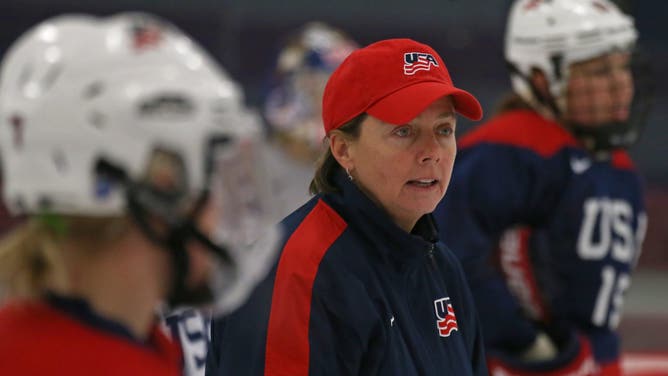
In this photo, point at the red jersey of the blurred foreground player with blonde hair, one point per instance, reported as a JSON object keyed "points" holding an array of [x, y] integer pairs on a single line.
{"points": [[61, 336]]}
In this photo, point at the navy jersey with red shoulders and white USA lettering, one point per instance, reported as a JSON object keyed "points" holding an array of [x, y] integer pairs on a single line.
{"points": [[542, 227]]}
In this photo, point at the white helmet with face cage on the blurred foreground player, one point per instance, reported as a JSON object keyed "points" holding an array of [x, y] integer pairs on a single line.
{"points": [[103, 117]]}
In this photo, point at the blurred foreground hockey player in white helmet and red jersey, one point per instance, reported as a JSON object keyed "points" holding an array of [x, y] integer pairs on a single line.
{"points": [[129, 151]]}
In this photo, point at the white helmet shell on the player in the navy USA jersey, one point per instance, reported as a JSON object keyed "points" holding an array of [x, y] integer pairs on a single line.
{"points": [[553, 34]]}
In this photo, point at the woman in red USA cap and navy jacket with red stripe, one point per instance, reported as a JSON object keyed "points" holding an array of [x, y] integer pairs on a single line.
{"points": [[363, 286]]}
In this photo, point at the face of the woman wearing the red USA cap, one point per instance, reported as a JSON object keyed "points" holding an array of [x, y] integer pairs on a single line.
{"points": [[406, 168]]}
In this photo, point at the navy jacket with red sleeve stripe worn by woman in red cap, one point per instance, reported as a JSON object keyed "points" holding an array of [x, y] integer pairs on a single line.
{"points": [[353, 294]]}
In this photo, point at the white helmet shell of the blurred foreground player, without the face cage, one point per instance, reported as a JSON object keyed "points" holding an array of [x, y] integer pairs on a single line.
{"points": [[76, 89]]}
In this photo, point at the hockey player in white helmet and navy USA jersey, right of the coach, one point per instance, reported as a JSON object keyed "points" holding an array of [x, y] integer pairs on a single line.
{"points": [[545, 209]]}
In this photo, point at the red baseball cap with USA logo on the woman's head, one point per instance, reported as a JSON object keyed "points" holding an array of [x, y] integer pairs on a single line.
{"points": [[393, 80]]}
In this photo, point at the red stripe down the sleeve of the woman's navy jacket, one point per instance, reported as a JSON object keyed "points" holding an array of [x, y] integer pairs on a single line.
{"points": [[287, 348]]}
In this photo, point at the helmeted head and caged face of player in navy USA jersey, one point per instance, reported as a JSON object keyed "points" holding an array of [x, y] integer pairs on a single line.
{"points": [[598, 86]]}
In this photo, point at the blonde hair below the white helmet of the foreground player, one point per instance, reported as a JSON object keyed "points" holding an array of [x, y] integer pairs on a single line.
{"points": [[31, 256]]}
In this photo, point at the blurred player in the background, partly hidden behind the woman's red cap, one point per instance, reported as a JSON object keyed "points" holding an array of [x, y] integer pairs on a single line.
{"points": [[293, 107]]}
